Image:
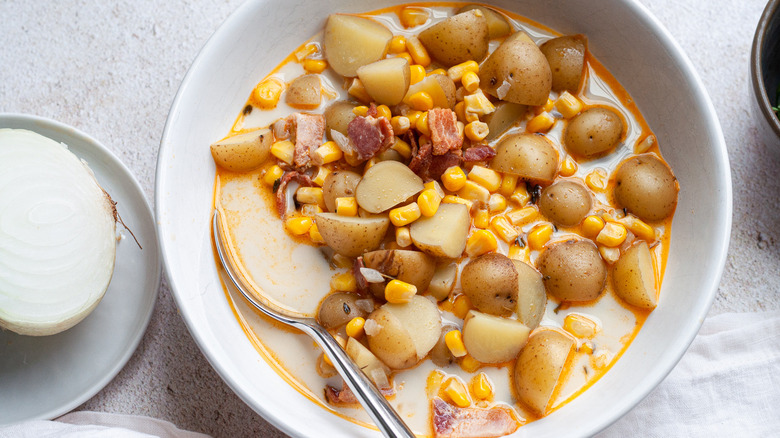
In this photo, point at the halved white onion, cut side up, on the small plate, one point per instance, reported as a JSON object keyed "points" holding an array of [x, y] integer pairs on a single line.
{"points": [[57, 235]]}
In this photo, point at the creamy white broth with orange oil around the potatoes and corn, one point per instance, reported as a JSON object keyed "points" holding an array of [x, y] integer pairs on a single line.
{"points": [[297, 274]]}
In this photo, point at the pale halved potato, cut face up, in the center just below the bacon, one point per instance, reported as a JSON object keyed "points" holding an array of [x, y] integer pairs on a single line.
{"points": [[385, 185]]}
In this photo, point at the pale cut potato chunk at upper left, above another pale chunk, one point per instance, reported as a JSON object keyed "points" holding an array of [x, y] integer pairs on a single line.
{"points": [[351, 42]]}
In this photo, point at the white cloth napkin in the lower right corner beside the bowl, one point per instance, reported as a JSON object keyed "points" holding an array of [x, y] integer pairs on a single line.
{"points": [[726, 385]]}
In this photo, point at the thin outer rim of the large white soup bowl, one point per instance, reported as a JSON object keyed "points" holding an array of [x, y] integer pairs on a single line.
{"points": [[709, 288]]}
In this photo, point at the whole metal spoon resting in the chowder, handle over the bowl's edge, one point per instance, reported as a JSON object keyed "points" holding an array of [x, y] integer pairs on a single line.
{"points": [[384, 416]]}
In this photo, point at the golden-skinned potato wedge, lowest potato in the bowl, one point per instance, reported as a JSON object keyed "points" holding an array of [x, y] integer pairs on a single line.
{"points": [[539, 367]]}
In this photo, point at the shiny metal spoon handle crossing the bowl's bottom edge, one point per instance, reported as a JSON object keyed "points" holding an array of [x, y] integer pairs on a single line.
{"points": [[384, 416]]}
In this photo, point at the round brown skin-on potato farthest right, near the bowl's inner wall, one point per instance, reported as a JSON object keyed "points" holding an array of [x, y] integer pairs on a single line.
{"points": [[646, 187]]}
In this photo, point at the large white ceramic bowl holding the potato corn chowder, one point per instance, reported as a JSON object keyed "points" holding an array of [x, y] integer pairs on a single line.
{"points": [[621, 34]]}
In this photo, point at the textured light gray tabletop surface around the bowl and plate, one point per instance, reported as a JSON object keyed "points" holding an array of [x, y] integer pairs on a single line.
{"points": [[112, 69]]}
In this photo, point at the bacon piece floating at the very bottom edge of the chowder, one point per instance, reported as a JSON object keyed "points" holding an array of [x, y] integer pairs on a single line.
{"points": [[454, 422]]}
